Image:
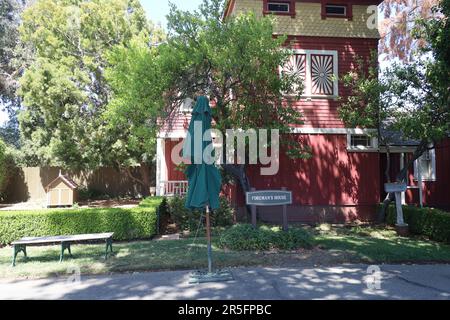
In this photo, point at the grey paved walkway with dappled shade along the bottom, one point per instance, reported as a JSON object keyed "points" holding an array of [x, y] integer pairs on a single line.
{"points": [[340, 282]]}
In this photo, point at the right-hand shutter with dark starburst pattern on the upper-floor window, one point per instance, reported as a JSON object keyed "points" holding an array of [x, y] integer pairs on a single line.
{"points": [[322, 67]]}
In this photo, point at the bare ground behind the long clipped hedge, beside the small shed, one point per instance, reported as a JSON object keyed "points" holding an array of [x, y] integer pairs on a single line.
{"points": [[37, 205]]}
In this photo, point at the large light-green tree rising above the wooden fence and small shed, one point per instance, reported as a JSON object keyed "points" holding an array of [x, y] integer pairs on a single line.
{"points": [[65, 92]]}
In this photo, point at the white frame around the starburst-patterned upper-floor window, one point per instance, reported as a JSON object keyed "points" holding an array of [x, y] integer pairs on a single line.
{"points": [[307, 92]]}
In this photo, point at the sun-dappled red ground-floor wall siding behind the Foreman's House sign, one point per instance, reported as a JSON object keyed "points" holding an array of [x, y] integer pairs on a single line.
{"points": [[332, 176]]}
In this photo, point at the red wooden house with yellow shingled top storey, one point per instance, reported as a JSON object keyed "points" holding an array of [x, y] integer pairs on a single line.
{"points": [[343, 181]]}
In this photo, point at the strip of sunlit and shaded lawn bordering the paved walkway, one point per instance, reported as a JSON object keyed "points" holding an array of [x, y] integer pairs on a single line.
{"points": [[334, 246]]}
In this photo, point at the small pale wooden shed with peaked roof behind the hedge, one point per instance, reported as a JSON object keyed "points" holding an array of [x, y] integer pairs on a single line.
{"points": [[61, 192]]}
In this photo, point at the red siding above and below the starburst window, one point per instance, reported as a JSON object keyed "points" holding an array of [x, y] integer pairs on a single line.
{"points": [[323, 112]]}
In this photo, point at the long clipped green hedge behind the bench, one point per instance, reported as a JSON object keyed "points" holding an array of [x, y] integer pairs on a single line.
{"points": [[127, 224]]}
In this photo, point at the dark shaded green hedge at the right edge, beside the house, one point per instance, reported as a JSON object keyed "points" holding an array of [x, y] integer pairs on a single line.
{"points": [[430, 222]]}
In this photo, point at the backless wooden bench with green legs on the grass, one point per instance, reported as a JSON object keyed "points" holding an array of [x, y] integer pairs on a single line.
{"points": [[64, 241]]}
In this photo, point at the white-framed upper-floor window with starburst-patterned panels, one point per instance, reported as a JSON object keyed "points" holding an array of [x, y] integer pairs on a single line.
{"points": [[317, 68]]}
